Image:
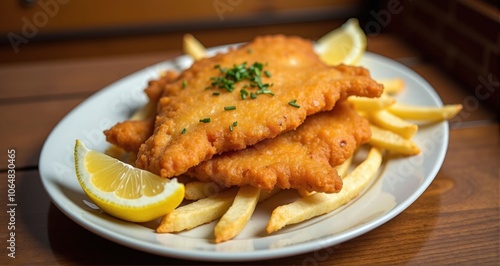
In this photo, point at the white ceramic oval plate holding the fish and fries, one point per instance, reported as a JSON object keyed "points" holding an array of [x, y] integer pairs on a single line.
{"points": [[400, 182]]}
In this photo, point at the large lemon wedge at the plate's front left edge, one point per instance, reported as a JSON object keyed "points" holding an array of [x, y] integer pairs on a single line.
{"points": [[122, 190]]}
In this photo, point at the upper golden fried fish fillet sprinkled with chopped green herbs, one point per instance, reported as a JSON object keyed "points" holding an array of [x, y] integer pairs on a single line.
{"points": [[193, 123]]}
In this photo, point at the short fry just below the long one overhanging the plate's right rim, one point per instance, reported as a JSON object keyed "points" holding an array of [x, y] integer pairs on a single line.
{"points": [[389, 121]]}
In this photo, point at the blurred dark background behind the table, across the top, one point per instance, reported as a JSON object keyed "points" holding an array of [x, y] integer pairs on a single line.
{"points": [[462, 36]]}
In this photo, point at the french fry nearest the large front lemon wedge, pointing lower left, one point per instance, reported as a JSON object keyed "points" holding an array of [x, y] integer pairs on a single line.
{"points": [[197, 213]]}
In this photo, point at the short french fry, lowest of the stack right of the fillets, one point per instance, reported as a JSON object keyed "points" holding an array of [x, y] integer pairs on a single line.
{"points": [[391, 141]]}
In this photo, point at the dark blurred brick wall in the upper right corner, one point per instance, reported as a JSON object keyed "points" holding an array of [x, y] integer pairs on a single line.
{"points": [[462, 37]]}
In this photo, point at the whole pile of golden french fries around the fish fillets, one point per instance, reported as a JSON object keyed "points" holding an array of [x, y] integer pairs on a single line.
{"points": [[233, 207]]}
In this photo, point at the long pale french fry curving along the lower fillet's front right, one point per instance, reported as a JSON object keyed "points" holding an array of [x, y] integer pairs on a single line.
{"points": [[321, 203]]}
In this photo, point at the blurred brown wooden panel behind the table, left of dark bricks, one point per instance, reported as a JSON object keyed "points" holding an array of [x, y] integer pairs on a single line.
{"points": [[48, 29]]}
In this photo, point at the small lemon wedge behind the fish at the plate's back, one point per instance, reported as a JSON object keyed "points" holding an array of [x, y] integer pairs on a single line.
{"points": [[342, 45]]}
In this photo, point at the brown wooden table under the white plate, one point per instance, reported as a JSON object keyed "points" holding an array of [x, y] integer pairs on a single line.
{"points": [[455, 221]]}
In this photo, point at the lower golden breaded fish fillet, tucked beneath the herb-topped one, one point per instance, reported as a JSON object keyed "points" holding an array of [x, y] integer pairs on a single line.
{"points": [[304, 158]]}
